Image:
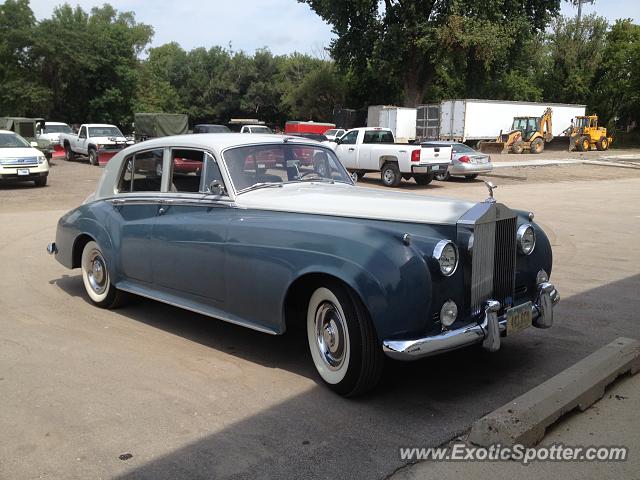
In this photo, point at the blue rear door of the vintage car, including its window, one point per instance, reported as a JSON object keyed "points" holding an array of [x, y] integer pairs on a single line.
{"points": [[135, 210]]}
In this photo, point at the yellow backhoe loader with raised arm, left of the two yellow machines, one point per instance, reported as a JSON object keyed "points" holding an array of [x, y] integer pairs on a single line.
{"points": [[526, 134]]}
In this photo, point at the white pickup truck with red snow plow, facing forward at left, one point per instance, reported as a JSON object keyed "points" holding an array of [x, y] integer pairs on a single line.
{"points": [[98, 141]]}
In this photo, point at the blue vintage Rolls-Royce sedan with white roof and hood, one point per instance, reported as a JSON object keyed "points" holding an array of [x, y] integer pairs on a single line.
{"points": [[271, 232]]}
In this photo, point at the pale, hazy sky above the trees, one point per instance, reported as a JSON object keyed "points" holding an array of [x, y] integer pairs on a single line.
{"points": [[284, 26]]}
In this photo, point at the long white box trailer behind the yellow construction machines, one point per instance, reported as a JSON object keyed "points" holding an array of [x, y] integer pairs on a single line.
{"points": [[472, 120]]}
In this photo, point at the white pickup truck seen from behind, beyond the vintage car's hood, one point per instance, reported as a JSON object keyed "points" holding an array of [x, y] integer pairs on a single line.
{"points": [[372, 149]]}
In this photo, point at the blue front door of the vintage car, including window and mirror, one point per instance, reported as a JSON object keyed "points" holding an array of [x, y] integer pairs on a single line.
{"points": [[190, 230]]}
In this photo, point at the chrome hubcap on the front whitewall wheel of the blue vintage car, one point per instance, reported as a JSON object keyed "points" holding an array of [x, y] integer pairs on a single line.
{"points": [[330, 335]]}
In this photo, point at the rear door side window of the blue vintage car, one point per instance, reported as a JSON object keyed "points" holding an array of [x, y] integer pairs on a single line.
{"points": [[142, 172]]}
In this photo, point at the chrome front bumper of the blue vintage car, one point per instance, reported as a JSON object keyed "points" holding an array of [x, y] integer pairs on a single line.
{"points": [[488, 331]]}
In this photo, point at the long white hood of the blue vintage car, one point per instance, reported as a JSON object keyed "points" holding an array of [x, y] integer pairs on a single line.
{"points": [[356, 202]]}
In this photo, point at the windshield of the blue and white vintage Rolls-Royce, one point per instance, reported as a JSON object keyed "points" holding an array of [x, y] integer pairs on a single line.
{"points": [[274, 165]]}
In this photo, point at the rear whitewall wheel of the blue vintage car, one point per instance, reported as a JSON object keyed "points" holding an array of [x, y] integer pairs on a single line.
{"points": [[96, 279]]}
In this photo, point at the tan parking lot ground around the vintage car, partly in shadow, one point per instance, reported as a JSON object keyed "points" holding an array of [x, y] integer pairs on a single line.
{"points": [[151, 391]]}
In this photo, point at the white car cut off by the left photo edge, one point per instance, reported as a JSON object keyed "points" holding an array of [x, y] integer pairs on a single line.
{"points": [[21, 161]]}
